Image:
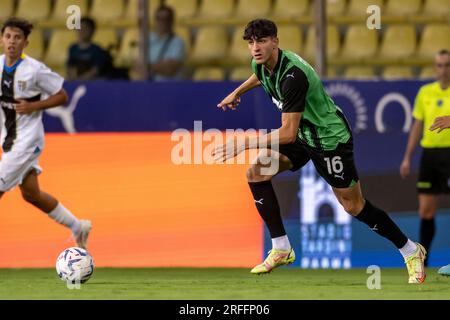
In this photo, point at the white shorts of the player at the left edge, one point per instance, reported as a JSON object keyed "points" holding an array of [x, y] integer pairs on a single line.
{"points": [[14, 167]]}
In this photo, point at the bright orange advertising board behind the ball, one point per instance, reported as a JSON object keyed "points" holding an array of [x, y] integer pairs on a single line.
{"points": [[146, 211]]}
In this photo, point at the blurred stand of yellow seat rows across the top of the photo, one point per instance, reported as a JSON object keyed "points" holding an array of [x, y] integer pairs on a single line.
{"points": [[413, 30]]}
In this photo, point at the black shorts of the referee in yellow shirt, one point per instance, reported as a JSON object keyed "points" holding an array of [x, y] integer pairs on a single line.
{"points": [[434, 172]]}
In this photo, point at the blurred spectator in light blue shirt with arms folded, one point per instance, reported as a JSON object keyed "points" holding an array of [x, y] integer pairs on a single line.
{"points": [[167, 51]]}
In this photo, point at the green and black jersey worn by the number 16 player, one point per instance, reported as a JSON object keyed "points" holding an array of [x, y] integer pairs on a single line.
{"points": [[294, 86]]}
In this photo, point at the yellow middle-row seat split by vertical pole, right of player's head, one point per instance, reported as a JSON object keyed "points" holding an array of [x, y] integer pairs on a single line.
{"points": [[309, 52]]}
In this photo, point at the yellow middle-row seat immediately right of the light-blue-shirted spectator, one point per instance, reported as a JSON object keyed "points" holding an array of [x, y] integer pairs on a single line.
{"points": [[210, 45]]}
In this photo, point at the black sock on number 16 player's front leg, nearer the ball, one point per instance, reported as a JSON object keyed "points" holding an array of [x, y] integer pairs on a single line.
{"points": [[267, 204]]}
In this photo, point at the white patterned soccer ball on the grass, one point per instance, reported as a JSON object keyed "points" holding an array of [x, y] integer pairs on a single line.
{"points": [[74, 265]]}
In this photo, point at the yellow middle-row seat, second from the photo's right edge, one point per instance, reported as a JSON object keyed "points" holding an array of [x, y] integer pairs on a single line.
{"points": [[399, 41]]}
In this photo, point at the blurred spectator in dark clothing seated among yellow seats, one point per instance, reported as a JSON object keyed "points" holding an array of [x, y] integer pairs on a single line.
{"points": [[87, 60]]}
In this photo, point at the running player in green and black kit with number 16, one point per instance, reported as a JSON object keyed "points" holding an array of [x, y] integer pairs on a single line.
{"points": [[312, 128]]}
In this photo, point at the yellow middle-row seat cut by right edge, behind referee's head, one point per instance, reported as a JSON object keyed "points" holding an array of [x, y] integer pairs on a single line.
{"points": [[434, 38]]}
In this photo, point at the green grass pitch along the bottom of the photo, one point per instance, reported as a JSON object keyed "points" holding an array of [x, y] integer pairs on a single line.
{"points": [[221, 284]]}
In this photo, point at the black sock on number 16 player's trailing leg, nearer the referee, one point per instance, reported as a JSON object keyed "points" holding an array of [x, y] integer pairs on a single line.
{"points": [[381, 223]]}
